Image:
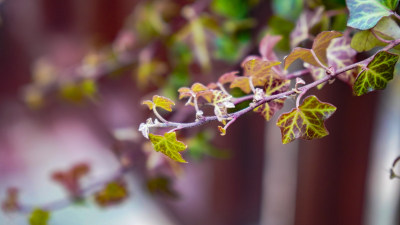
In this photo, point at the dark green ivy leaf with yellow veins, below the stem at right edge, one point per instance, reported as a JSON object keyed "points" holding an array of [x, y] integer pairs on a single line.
{"points": [[377, 73]]}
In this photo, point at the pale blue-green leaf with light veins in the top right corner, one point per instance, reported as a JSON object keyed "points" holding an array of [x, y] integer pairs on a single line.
{"points": [[365, 14]]}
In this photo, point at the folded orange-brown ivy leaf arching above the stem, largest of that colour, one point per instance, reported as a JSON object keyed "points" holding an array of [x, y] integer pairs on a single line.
{"points": [[319, 47]]}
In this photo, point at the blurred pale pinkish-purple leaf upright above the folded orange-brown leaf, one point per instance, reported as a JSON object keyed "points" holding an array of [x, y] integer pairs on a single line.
{"points": [[306, 21]]}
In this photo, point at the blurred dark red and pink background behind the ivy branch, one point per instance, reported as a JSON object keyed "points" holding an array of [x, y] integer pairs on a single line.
{"points": [[74, 74]]}
